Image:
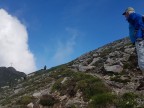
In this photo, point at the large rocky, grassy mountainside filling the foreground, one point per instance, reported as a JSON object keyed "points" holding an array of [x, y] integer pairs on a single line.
{"points": [[107, 77]]}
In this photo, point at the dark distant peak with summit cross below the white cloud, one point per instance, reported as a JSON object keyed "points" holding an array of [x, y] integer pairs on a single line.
{"points": [[9, 76]]}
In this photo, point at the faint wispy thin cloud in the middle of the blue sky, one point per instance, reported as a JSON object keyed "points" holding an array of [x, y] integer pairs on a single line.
{"points": [[65, 49]]}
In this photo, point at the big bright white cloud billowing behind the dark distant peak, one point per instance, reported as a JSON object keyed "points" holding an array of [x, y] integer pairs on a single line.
{"points": [[14, 44]]}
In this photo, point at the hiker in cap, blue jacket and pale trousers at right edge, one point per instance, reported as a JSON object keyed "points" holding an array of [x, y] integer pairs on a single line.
{"points": [[136, 33]]}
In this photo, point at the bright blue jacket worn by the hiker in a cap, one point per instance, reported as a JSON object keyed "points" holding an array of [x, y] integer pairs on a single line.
{"points": [[136, 23]]}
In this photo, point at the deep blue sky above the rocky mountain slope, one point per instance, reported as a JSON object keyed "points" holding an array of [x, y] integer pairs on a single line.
{"points": [[62, 30]]}
